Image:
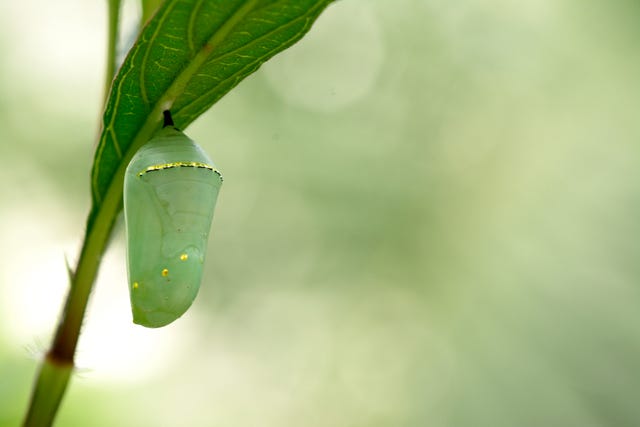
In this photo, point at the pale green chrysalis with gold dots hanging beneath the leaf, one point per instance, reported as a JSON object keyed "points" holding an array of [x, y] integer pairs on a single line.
{"points": [[170, 191]]}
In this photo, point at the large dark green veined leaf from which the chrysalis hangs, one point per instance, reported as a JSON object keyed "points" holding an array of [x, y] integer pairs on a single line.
{"points": [[189, 55]]}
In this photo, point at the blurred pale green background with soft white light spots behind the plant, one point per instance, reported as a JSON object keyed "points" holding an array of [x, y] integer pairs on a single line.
{"points": [[430, 217]]}
